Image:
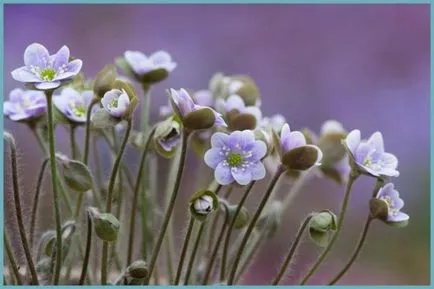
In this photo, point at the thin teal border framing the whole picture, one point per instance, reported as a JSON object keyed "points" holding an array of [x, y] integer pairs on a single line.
{"points": [[3, 2]]}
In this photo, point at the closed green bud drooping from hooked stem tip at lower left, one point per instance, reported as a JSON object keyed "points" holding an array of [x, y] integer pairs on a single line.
{"points": [[106, 225]]}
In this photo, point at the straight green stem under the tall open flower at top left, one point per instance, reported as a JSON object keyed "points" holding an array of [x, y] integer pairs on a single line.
{"points": [[52, 150]]}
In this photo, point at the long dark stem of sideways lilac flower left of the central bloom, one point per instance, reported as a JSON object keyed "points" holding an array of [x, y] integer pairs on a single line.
{"points": [[170, 208]]}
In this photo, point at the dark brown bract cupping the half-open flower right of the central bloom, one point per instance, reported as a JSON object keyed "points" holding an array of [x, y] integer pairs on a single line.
{"points": [[301, 158]]}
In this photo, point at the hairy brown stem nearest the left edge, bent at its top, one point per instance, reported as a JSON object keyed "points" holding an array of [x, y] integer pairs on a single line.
{"points": [[17, 200]]}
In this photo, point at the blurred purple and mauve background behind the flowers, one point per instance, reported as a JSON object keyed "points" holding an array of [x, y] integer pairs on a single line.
{"points": [[364, 65]]}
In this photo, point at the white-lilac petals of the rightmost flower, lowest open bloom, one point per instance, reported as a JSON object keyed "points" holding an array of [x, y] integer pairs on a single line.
{"points": [[394, 203]]}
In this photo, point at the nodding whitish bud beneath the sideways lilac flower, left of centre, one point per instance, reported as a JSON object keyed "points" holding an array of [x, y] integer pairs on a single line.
{"points": [[166, 137]]}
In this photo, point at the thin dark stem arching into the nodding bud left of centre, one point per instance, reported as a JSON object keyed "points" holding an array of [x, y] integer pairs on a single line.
{"points": [[137, 187]]}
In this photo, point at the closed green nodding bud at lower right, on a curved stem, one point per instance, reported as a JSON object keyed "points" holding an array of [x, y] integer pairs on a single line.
{"points": [[321, 226]]}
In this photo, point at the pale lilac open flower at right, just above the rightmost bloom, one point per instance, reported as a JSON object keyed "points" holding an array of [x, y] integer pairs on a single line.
{"points": [[369, 154]]}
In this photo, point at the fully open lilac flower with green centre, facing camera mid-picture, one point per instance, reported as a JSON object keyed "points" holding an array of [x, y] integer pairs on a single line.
{"points": [[236, 157]]}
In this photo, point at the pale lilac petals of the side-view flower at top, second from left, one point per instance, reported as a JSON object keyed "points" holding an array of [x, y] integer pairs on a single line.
{"points": [[141, 64]]}
